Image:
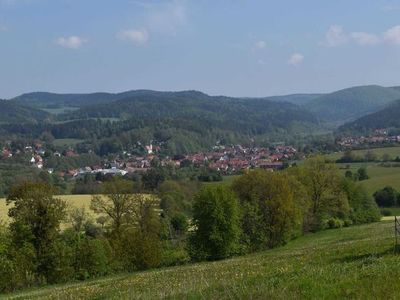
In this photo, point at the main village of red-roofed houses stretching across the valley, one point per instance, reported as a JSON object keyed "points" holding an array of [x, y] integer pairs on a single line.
{"points": [[226, 160]]}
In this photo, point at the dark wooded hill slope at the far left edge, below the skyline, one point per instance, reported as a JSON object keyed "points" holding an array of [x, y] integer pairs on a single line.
{"points": [[15, 113]]}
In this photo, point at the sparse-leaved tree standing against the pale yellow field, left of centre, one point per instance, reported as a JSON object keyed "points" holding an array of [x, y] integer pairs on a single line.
{"points": [[116, 201]]}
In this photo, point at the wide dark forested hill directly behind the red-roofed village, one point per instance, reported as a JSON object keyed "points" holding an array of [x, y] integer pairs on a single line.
{"points": [[183, 122]]}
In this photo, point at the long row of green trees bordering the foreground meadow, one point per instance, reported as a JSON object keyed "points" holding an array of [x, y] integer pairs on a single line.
{"points": [[45, 243]]}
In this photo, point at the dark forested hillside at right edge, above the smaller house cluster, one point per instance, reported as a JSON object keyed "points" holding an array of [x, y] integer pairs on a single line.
{"points": [[385, 118]]}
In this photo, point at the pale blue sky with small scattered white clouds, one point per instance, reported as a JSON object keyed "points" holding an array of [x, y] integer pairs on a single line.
{"points": [[221, 47]]}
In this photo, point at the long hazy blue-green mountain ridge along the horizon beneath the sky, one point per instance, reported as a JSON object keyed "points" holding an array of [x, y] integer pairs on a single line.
{"points": [[335, 108]]}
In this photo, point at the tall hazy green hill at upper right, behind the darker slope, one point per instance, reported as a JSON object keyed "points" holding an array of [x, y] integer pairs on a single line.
{"points": [[349, 104]]}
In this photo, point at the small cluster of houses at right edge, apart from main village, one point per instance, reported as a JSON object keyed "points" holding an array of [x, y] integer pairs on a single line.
{"points": [[380, 136]]}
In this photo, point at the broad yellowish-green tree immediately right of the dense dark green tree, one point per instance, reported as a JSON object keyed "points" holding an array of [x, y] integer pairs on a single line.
{"points": [[269, 211]]}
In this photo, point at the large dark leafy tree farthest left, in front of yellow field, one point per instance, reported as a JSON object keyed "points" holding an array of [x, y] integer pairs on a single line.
{"points": [[36, 217]]}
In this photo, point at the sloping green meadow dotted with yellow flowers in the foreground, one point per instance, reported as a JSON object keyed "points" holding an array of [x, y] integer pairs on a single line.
{"points": [[356, 262]]}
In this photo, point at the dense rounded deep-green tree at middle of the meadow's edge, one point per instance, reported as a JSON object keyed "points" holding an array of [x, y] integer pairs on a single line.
{"points": [[217, 224]]}
